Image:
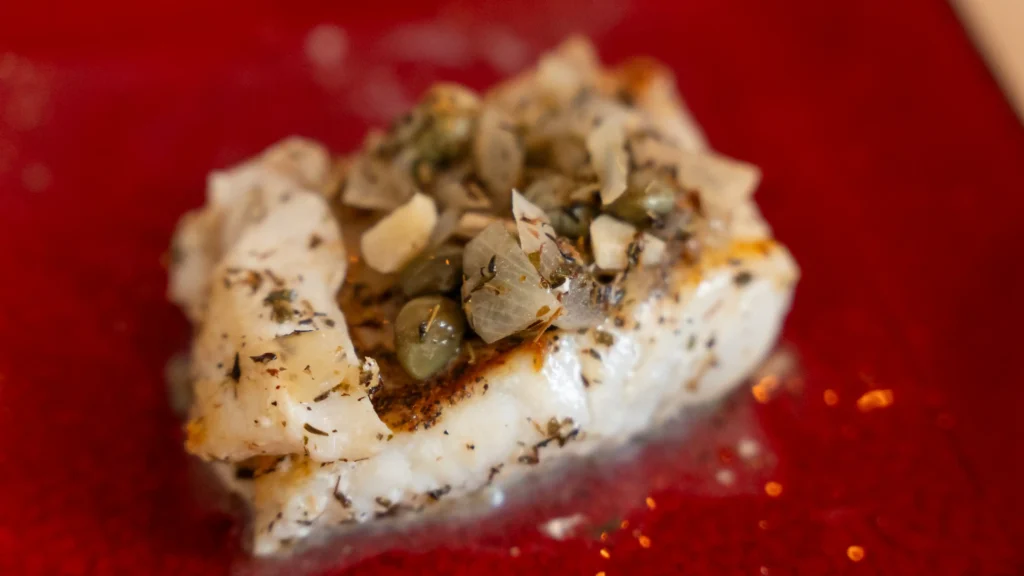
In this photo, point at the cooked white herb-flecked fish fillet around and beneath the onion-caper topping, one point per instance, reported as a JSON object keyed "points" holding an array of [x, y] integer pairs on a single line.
{"points": [[309, 427]]}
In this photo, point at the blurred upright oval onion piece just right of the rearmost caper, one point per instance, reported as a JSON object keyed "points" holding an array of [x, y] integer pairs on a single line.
{"points": [[499, 157]]}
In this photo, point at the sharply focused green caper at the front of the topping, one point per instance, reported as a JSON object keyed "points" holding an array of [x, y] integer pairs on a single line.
{"points": [[428, 336]]}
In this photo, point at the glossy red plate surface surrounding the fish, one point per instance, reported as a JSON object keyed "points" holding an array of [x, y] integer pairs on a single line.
{"points": [[893, 170]]}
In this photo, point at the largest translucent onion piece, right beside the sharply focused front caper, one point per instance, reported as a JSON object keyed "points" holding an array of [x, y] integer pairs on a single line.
{"points": [[503, 294]]}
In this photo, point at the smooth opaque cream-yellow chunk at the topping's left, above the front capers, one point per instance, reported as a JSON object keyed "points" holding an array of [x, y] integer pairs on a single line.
{"points": [[392, 243]]}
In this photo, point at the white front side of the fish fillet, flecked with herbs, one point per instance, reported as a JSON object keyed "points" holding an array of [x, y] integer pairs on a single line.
{"points": [[666, 355]]}
